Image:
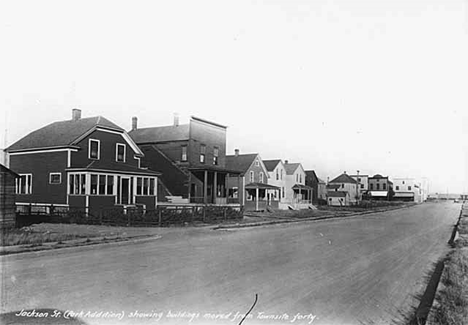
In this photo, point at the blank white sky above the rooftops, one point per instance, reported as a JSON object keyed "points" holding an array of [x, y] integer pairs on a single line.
{"points": [[376, 86]]}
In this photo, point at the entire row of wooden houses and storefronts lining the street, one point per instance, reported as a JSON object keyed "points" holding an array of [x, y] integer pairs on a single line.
{"points": [[92, 163]]}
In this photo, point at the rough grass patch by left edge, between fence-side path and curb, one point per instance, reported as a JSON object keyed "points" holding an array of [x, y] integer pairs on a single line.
{"points": [[27, 235]]}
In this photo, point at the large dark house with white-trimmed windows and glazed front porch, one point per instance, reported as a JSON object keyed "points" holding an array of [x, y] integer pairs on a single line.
{"points": [[85, 163]]}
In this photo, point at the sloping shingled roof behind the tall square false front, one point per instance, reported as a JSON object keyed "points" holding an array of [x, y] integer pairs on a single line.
{"points": [[161, 134]]}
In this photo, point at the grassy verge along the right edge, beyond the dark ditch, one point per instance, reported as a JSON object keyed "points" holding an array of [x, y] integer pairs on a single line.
{"points": [[451, 306]]}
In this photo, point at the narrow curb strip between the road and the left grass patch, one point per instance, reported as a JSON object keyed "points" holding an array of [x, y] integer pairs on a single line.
{"points": [[70, 244]]}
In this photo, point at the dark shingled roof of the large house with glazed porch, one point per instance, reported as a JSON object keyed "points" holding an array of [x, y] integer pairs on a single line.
{"points": [[59, 134]]}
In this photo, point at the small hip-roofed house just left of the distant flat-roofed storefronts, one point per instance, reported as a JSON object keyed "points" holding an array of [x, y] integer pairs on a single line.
{"points": [[343, 191]]}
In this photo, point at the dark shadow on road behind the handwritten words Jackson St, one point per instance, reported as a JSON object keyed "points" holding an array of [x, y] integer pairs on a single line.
{"points": [[43, 316]]}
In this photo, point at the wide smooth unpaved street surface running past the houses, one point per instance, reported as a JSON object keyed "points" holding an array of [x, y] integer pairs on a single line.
{"points": [[360, 270]]}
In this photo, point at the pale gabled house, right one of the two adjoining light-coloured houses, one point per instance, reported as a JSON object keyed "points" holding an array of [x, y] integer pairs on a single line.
{"points": [[298, 194]]}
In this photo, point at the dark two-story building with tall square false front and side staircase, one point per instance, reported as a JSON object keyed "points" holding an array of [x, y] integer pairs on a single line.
{"points": [[191, 157]]}
